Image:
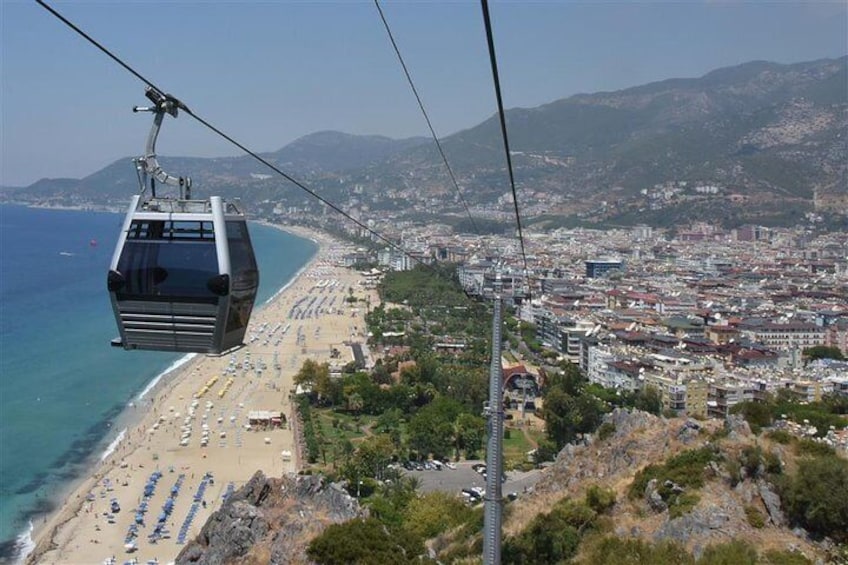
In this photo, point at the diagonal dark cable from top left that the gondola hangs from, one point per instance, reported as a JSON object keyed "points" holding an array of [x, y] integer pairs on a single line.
{"points": [[225, 136]]}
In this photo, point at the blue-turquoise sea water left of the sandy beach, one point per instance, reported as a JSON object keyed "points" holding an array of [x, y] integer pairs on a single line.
{"points": [[62, 386]]}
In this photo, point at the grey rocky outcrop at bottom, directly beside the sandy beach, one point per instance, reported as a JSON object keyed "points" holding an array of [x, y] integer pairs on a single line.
{"points": [[270, 520]]}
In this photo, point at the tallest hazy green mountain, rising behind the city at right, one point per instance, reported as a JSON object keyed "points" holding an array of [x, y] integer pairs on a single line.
{"points": [[773, 133]]}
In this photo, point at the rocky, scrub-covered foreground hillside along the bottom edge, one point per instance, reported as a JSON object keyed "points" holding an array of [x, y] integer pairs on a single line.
{"points": [[722, 500]]}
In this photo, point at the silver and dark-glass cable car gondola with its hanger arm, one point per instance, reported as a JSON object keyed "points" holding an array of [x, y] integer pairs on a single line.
{"points": [[183, 276]]}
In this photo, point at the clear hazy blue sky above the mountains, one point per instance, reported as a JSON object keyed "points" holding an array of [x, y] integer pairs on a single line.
{"points": [[269, 72]]}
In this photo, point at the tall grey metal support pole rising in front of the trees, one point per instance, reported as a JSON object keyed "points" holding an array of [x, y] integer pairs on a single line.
{"points": [[494, 467]]}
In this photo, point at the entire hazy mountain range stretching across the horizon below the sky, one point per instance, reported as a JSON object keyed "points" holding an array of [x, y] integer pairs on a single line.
{"points": [[759, 141]]}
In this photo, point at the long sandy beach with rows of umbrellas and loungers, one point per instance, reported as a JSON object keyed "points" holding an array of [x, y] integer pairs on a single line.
{"points": [[194, 443]]}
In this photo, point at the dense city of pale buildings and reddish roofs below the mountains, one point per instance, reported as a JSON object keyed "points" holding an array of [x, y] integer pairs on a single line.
{"points": [[710, 317]]}
